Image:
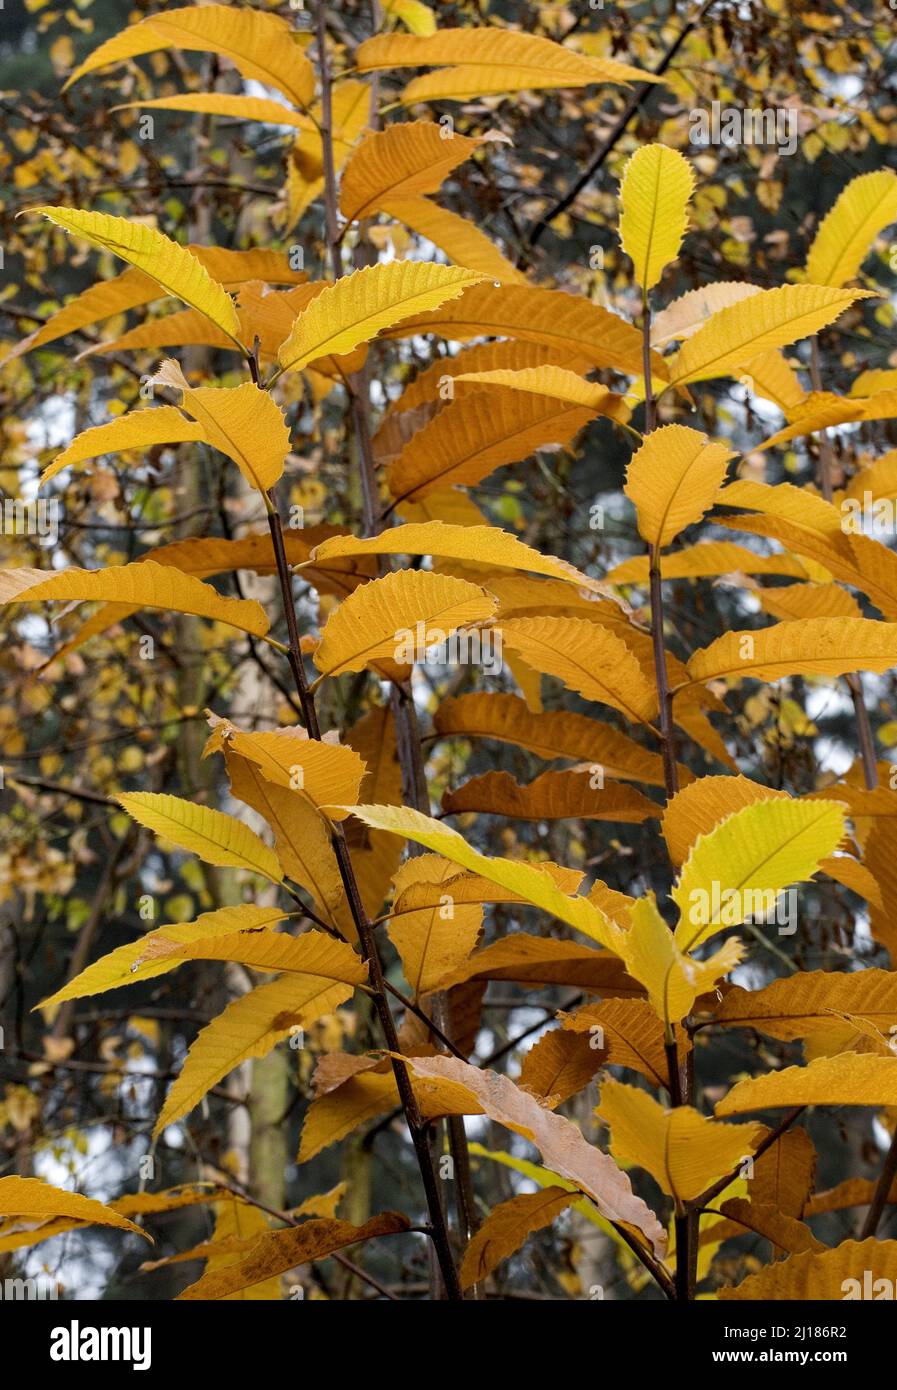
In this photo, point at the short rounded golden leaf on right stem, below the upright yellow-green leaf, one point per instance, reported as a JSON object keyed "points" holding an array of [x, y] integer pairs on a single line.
{"points": [[672, 482]]}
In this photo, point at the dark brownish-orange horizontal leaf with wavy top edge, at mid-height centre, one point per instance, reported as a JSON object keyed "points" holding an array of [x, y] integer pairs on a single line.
{"points": [[551, 797]]}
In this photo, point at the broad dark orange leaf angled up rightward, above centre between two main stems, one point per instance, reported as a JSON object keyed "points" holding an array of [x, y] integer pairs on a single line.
{"points": [[476, 434]]}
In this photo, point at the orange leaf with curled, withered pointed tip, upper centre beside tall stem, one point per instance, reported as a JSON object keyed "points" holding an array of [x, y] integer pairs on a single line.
{"points": [[405, 161]]}
